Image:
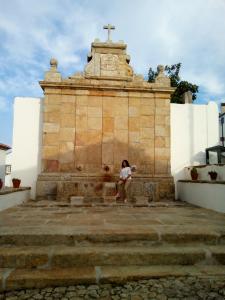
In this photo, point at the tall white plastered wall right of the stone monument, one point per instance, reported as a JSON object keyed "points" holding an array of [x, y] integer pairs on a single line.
{"points": [[193, 129]]}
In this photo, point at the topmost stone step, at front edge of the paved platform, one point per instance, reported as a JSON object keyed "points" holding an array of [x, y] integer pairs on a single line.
{"points": [[132, 235]]}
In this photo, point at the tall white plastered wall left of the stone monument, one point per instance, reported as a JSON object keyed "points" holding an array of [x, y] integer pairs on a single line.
{"points": [[26, 157]]}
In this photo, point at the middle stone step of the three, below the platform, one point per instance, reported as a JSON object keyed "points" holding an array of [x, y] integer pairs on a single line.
{"points": [[66, 257]]}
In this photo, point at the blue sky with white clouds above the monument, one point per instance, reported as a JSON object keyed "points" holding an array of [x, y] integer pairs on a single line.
{"points": [[157, 32]]}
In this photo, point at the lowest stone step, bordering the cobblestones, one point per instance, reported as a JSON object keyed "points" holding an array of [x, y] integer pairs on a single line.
{"points": [[28, 278]]}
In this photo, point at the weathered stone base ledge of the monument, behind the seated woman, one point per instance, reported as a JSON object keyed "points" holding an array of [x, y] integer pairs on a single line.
{"points": [[61, 187]]}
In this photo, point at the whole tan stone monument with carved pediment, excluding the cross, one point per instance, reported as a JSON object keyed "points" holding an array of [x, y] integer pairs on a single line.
{"points": [[101, 117]]}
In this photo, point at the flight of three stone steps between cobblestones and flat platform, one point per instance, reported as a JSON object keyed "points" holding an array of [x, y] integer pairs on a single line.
{"points": [[40, 260]]}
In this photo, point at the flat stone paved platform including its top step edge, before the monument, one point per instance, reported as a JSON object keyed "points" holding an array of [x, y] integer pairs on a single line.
{"points": [[66, 224]]}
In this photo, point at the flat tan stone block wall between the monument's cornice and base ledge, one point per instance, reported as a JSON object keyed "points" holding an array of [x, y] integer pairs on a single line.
{"points": [[86, 129]]}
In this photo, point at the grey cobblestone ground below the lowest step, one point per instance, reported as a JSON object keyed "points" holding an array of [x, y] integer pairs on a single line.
{"points": [[186, 288]]}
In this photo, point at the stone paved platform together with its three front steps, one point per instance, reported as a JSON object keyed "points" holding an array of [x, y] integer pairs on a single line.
{"points": [[158, 232]]}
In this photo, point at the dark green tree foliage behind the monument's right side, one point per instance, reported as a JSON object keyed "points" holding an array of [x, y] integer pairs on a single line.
{"points": [[181, 86]]}
